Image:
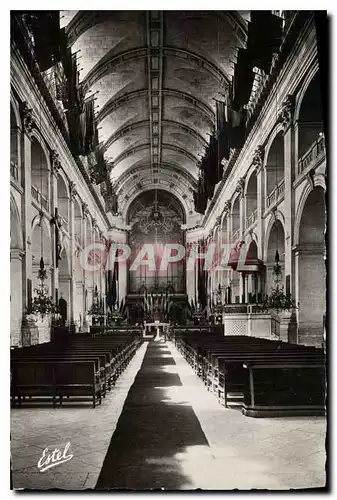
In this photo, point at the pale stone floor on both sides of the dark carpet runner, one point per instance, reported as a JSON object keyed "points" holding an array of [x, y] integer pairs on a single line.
{"points": [[243, 453]]}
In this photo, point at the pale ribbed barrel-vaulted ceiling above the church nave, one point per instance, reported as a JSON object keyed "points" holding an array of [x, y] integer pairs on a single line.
{"points": [[156, 75]]}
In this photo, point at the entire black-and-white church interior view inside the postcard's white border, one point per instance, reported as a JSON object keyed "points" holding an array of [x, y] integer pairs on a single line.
{"points": [[167, 250]]}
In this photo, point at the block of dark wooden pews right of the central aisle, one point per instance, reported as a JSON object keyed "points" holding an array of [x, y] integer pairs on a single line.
{"points": [[266, 377]]}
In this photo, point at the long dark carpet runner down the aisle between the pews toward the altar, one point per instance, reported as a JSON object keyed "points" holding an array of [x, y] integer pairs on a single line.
{"points": [[156, 432]]}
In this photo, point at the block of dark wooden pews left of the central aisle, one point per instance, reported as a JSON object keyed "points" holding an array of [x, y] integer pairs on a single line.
{"points": [[78, 368]]}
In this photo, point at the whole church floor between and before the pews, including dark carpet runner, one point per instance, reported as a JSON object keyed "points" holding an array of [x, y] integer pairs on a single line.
{"points": [[160, 428]]}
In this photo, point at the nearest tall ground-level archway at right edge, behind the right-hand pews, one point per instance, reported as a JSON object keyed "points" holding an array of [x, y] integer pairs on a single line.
{"points": [[311, 269]]}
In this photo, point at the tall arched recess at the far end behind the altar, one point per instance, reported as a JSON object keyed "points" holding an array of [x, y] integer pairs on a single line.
{"points": [[155, 218]]}
